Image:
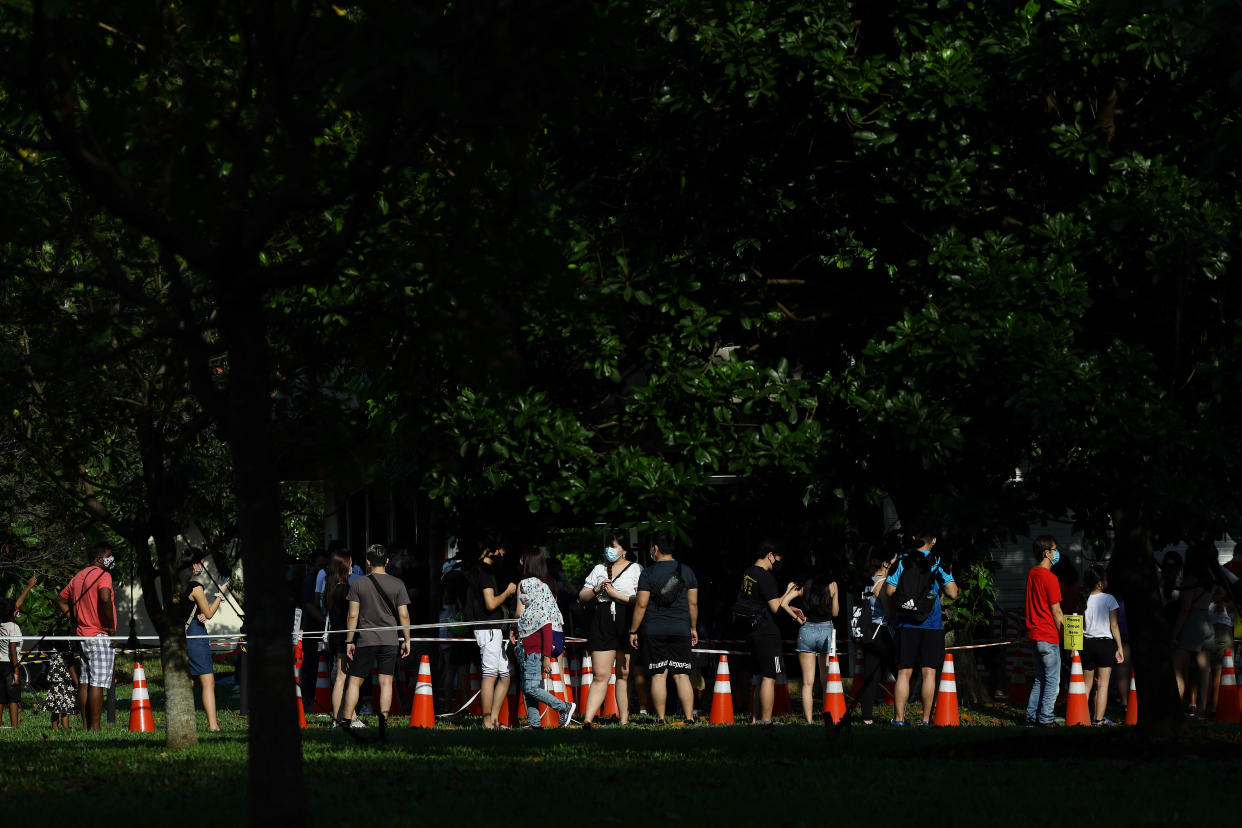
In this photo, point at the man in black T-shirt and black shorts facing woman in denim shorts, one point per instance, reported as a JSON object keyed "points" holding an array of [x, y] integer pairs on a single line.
{"points": [[759, 600]]}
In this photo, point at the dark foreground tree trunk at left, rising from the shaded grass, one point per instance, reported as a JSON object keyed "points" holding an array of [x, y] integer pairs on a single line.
{"points": [[276, 781]]}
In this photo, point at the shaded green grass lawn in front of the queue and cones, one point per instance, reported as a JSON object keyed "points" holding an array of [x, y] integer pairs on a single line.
{"points": [[988, 773]]}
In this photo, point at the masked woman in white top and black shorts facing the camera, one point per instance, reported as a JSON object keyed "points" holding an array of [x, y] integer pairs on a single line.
{"points": [[612, 589]]}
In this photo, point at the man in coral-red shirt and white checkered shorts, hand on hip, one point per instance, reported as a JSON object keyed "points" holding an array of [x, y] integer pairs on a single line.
{"points": [[88, 600]]}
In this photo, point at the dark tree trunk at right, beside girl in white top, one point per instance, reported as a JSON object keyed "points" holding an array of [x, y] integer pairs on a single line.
{"points": [[1151, 639]]}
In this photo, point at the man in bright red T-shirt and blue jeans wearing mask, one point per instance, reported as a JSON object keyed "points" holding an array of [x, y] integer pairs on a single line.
{"points": [[1044, 626]]}
